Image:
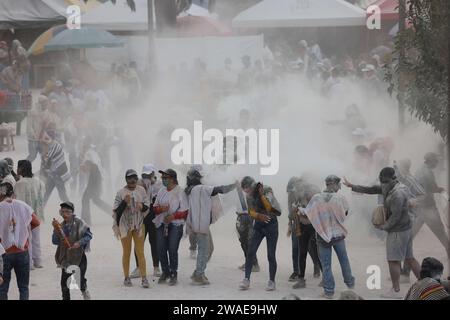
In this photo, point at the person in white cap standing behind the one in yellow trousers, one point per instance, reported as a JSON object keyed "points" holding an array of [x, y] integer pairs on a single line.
{"points": [[150, 183]]}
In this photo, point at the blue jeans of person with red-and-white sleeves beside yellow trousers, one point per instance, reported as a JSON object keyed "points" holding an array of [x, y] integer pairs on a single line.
{"points": [[168, 247]]}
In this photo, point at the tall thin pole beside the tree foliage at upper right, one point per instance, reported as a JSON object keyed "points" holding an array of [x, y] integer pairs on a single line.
{"points": [[401, 61]]}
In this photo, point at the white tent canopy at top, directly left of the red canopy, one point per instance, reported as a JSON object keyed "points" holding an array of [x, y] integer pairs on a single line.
{"points": [[300, 13]]}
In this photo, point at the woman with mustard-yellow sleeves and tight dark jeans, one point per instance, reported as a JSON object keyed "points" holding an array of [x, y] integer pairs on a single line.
{"points": [[264, 208]]}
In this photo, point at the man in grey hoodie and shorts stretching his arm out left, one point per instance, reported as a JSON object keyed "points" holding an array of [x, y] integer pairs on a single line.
{"points": [[398, 224]]}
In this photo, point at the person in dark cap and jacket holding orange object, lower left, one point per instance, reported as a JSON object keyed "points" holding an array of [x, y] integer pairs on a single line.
{"points": [[73, 243]]}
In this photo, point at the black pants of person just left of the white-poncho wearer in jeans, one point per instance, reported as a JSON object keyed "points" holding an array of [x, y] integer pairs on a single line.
{"points": [[307, 243]]}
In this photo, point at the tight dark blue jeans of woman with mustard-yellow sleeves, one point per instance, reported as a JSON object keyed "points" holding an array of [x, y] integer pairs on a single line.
{"points": [[263, 230]]}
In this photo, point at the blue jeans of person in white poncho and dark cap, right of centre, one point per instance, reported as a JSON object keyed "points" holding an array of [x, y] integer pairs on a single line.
{"points": [[325, 252]]}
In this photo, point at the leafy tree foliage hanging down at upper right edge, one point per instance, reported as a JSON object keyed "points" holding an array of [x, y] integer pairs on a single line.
{"points": [[424, 70]]}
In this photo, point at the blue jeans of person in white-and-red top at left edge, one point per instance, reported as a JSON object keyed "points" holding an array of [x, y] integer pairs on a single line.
{"points": [[20, 262]]}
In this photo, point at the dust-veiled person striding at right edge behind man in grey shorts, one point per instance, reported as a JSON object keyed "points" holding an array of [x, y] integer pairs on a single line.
{"points": [[429, 213]]}
